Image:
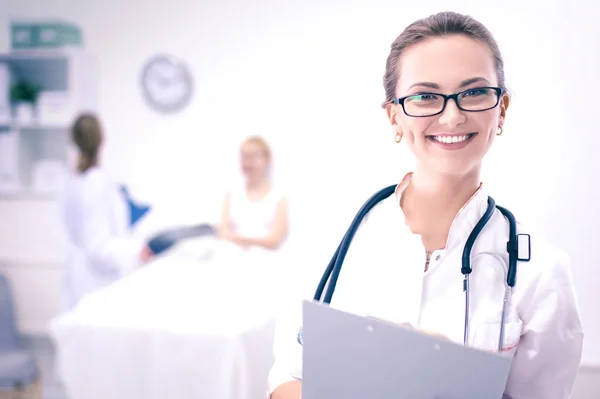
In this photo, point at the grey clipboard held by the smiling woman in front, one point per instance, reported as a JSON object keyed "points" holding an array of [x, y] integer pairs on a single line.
{"points": [[354, 357]]}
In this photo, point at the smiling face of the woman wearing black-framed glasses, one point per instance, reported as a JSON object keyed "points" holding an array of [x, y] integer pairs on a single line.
{"points": [[469, 117]]}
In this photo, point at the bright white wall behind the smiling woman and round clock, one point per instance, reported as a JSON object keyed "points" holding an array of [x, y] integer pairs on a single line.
{"points": [[307, 74]]}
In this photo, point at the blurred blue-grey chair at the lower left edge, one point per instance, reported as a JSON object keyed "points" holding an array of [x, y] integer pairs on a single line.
{"points": [[18, 368]]}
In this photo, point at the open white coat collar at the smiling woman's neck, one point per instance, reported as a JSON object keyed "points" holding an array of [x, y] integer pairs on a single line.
{"points": [[465, 220]]}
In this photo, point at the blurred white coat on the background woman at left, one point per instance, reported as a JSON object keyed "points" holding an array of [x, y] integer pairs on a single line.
{"points": [[100, 247]]}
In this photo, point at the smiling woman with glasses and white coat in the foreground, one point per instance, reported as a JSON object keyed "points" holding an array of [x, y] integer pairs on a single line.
{"points": [[419, 233]]}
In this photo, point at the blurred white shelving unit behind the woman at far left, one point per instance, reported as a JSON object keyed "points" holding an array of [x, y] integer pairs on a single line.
{"points": [[37, 140]]}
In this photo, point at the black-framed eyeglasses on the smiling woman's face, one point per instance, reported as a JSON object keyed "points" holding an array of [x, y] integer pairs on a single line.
{"points": [[425, 104]]}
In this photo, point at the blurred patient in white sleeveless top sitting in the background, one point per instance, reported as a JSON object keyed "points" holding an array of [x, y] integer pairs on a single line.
{"points": [[255, 214]]}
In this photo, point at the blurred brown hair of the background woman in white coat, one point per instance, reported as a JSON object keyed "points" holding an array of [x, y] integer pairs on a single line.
{"points": [[87, 136]]}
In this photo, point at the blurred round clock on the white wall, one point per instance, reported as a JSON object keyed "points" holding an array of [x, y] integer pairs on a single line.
{"points": [[167, 84]]}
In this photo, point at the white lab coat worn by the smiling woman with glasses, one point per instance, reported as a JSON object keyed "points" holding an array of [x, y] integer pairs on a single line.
{"points": [[383, 277]]}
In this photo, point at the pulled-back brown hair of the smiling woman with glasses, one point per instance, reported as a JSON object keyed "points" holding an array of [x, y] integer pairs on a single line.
{"points": [[438, 25]]}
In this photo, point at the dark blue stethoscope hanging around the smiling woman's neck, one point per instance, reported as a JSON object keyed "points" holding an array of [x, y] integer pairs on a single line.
{"points": [[334, 267]]}
